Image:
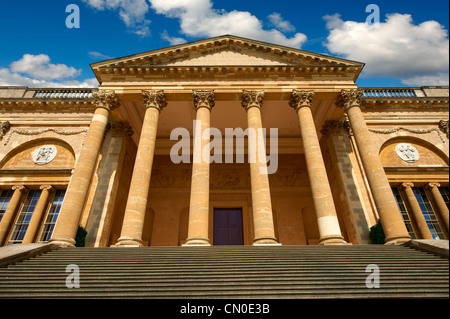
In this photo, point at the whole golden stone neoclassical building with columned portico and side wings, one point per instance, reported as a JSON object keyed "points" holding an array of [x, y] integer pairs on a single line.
{"points": [[121, 160]]}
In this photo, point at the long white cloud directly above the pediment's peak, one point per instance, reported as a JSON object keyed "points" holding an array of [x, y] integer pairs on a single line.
{"points": [[199, 19]]}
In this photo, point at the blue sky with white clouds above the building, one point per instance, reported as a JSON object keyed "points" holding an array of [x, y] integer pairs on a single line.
{"points": [[409, 47]]}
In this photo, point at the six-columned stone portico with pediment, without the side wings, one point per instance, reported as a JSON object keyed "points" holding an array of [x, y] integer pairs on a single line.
{"points": [[227, 84]]}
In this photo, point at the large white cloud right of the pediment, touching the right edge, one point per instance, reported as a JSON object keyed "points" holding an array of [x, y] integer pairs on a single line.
{"points": [[416, 54]]}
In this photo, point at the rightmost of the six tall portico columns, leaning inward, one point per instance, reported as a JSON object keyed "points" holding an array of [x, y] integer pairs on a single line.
{"points": [[391, 219]]}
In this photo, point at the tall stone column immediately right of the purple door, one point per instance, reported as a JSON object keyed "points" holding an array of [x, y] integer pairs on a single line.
{"points": [[261, 201]]}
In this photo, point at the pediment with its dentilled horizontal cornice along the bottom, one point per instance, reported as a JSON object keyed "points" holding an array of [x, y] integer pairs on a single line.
{"points": [[211, 56]]}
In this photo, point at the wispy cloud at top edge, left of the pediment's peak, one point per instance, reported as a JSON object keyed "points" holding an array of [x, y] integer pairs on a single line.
{"points": [[132, 12]]}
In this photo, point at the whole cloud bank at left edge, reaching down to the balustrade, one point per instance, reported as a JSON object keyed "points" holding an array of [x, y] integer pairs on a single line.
{"points": [[37, 71]]}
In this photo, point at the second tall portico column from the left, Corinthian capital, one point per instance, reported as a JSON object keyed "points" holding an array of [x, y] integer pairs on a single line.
{"points": [[133, 223]]}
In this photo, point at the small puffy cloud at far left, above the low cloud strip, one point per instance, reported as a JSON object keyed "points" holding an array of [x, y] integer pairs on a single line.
{"points": [[39, 66]]}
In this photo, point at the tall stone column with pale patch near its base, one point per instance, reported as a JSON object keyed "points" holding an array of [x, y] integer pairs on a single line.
{"points": [[330, 232]]}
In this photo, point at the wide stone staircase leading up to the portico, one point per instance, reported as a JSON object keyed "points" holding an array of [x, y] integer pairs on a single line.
{"points": [[230, 272]]}
